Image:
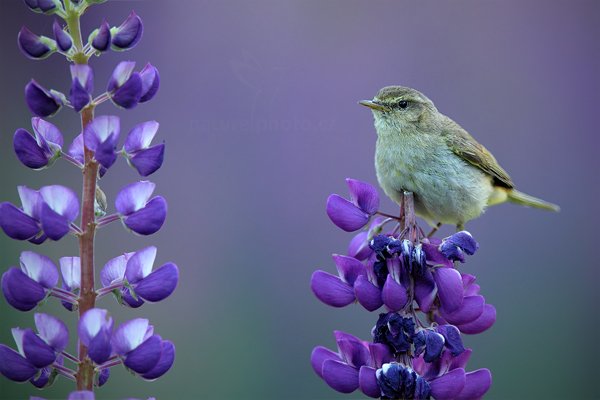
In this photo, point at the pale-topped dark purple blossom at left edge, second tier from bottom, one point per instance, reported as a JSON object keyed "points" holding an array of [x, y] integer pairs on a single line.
{"points": [[26, 286]]}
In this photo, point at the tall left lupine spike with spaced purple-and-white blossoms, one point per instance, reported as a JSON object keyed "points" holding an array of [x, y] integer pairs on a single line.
{"points": [[50, 213]]}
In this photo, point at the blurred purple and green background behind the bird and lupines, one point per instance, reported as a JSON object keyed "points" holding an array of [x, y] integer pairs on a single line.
{"points": [[258, 107]]}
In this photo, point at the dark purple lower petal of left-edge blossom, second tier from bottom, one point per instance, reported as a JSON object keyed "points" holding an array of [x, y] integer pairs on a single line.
{"points": [[20, 291]]}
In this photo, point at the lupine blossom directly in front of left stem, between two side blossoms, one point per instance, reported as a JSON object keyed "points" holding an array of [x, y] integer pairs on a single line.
{"points": [[101, 136]]}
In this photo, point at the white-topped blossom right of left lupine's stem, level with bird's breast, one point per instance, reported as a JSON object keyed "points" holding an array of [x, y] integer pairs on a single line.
{"points": [[144, 158]]}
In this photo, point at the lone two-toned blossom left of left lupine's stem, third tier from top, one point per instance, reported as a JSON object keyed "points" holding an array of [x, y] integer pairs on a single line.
{"points": [[40, 149]]}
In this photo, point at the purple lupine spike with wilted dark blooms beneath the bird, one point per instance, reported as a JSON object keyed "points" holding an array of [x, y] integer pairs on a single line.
{"points": [[416, 349]]}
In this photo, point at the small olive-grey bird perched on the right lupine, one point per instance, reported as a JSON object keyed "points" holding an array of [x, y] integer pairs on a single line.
{"points": [[453, 178]]}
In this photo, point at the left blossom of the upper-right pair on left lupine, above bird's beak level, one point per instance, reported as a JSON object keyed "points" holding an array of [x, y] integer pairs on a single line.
{"points": [[125, 86]]}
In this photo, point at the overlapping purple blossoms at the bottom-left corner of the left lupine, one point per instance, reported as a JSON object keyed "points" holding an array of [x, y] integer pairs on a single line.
{"points": [[35, 351]]}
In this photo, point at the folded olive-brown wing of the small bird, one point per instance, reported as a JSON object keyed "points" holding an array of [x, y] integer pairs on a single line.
{"points": [[467, 148]]}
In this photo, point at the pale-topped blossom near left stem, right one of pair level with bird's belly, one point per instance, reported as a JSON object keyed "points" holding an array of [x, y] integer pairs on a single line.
{"points": [[59, 209]]}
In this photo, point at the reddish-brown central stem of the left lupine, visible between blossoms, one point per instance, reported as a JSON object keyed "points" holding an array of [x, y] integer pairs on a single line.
{"points": [[87, 297]]}
